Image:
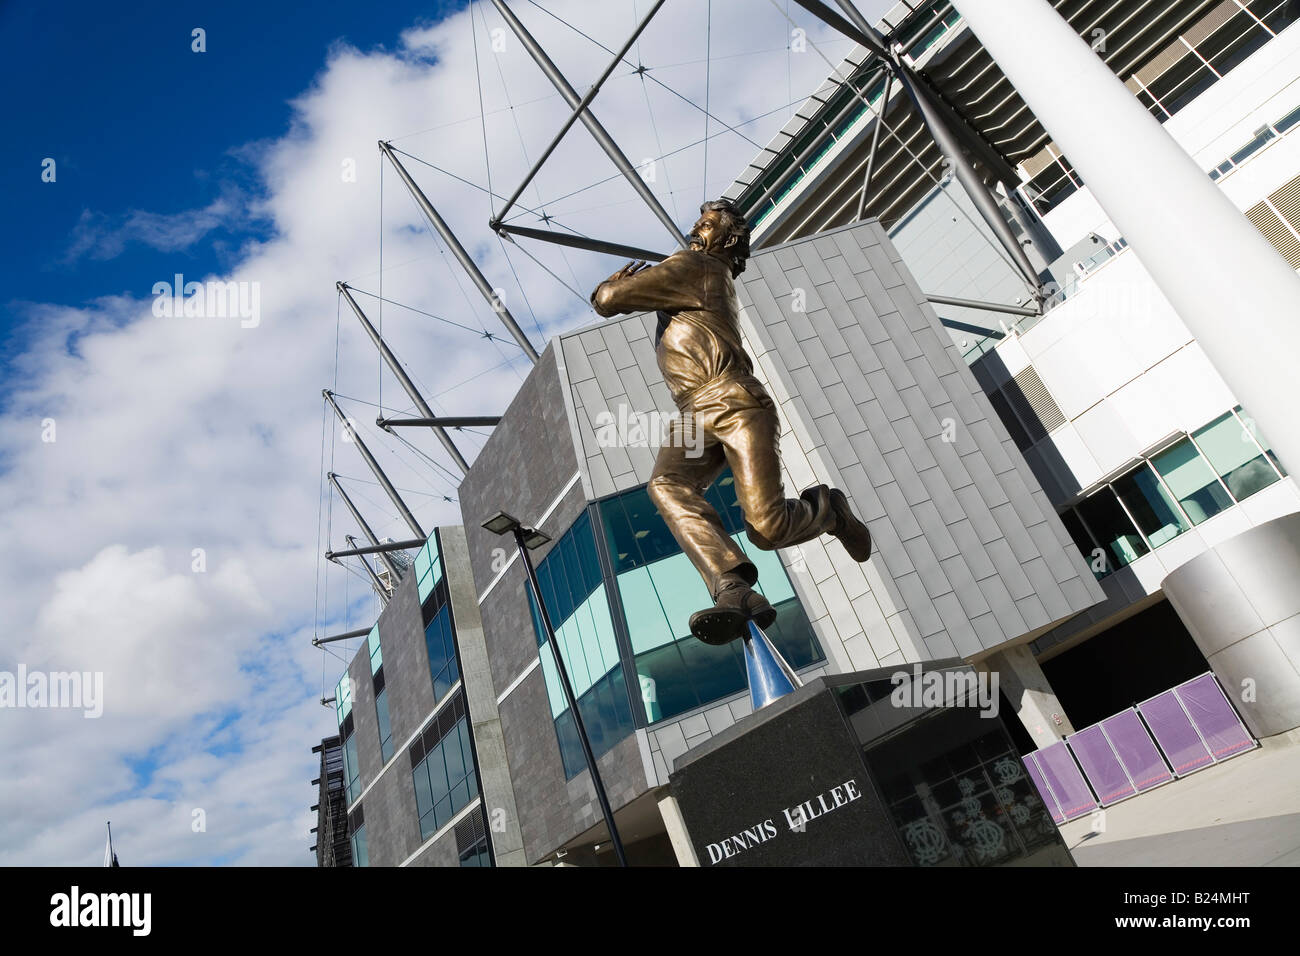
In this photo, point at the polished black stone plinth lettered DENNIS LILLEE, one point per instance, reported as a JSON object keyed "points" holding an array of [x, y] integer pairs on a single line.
{"points": [[851, 772]]}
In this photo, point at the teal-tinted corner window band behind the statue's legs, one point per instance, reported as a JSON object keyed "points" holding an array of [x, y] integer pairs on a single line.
{"points": [[621, 594]]}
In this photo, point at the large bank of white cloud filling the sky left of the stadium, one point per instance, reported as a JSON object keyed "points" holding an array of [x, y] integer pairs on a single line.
{"points": [[184, 434]]}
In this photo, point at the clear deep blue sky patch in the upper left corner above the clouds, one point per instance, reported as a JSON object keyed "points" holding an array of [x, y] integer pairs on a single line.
{"points": [[136, 120]]}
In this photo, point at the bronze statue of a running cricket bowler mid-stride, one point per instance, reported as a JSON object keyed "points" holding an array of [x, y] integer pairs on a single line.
{"points": [[712, 382]]}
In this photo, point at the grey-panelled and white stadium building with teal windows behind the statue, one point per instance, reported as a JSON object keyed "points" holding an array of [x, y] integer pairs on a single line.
{"points": [[1061, 486]]}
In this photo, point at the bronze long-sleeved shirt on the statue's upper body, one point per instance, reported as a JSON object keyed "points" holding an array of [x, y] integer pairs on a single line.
{"points": [[701, 344]]}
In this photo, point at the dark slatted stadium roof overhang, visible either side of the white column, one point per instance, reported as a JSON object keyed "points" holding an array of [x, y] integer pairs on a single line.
{"points": [[822, 155]]}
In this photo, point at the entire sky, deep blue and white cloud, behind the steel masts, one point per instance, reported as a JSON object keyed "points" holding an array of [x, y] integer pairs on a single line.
{"points": [[161, 477]]}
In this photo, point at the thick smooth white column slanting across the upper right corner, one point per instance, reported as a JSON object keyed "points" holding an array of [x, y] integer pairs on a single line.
{"points": [[1238, 297]]}
